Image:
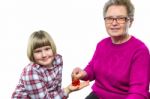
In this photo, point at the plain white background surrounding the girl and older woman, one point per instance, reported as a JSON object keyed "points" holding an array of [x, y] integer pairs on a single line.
{"points": [[75, 25]]}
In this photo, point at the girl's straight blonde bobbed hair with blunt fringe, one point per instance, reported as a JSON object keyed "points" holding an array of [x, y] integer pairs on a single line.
{"points": [[38, 39]]}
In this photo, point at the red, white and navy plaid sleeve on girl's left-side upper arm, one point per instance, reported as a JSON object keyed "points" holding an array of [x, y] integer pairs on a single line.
{"points": [[34, 85]]}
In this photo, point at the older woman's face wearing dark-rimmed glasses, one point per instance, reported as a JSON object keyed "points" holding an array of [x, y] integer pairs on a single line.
{"points": [[117, 21]]}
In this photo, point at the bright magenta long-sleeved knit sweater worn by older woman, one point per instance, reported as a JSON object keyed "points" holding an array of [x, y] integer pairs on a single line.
{"points": [[120, 71]]}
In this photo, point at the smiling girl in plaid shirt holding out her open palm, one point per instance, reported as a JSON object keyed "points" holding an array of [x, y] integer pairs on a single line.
{"points": [[41, 79]]}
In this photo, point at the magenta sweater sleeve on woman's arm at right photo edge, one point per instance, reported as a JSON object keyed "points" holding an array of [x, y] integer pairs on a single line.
{"points": [[139, 75]]}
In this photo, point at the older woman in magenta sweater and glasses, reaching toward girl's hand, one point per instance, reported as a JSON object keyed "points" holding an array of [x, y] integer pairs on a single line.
{"points": [[120, 65]]}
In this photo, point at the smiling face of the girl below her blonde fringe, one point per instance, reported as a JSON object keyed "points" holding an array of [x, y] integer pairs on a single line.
{"points": [[43, 55]]}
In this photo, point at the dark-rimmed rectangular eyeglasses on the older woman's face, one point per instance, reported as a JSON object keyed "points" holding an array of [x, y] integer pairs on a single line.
{"points": [[120, 20]]}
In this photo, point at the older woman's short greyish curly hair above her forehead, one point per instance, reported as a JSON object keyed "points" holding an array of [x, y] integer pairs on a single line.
{"points": [[127, 3]]}
